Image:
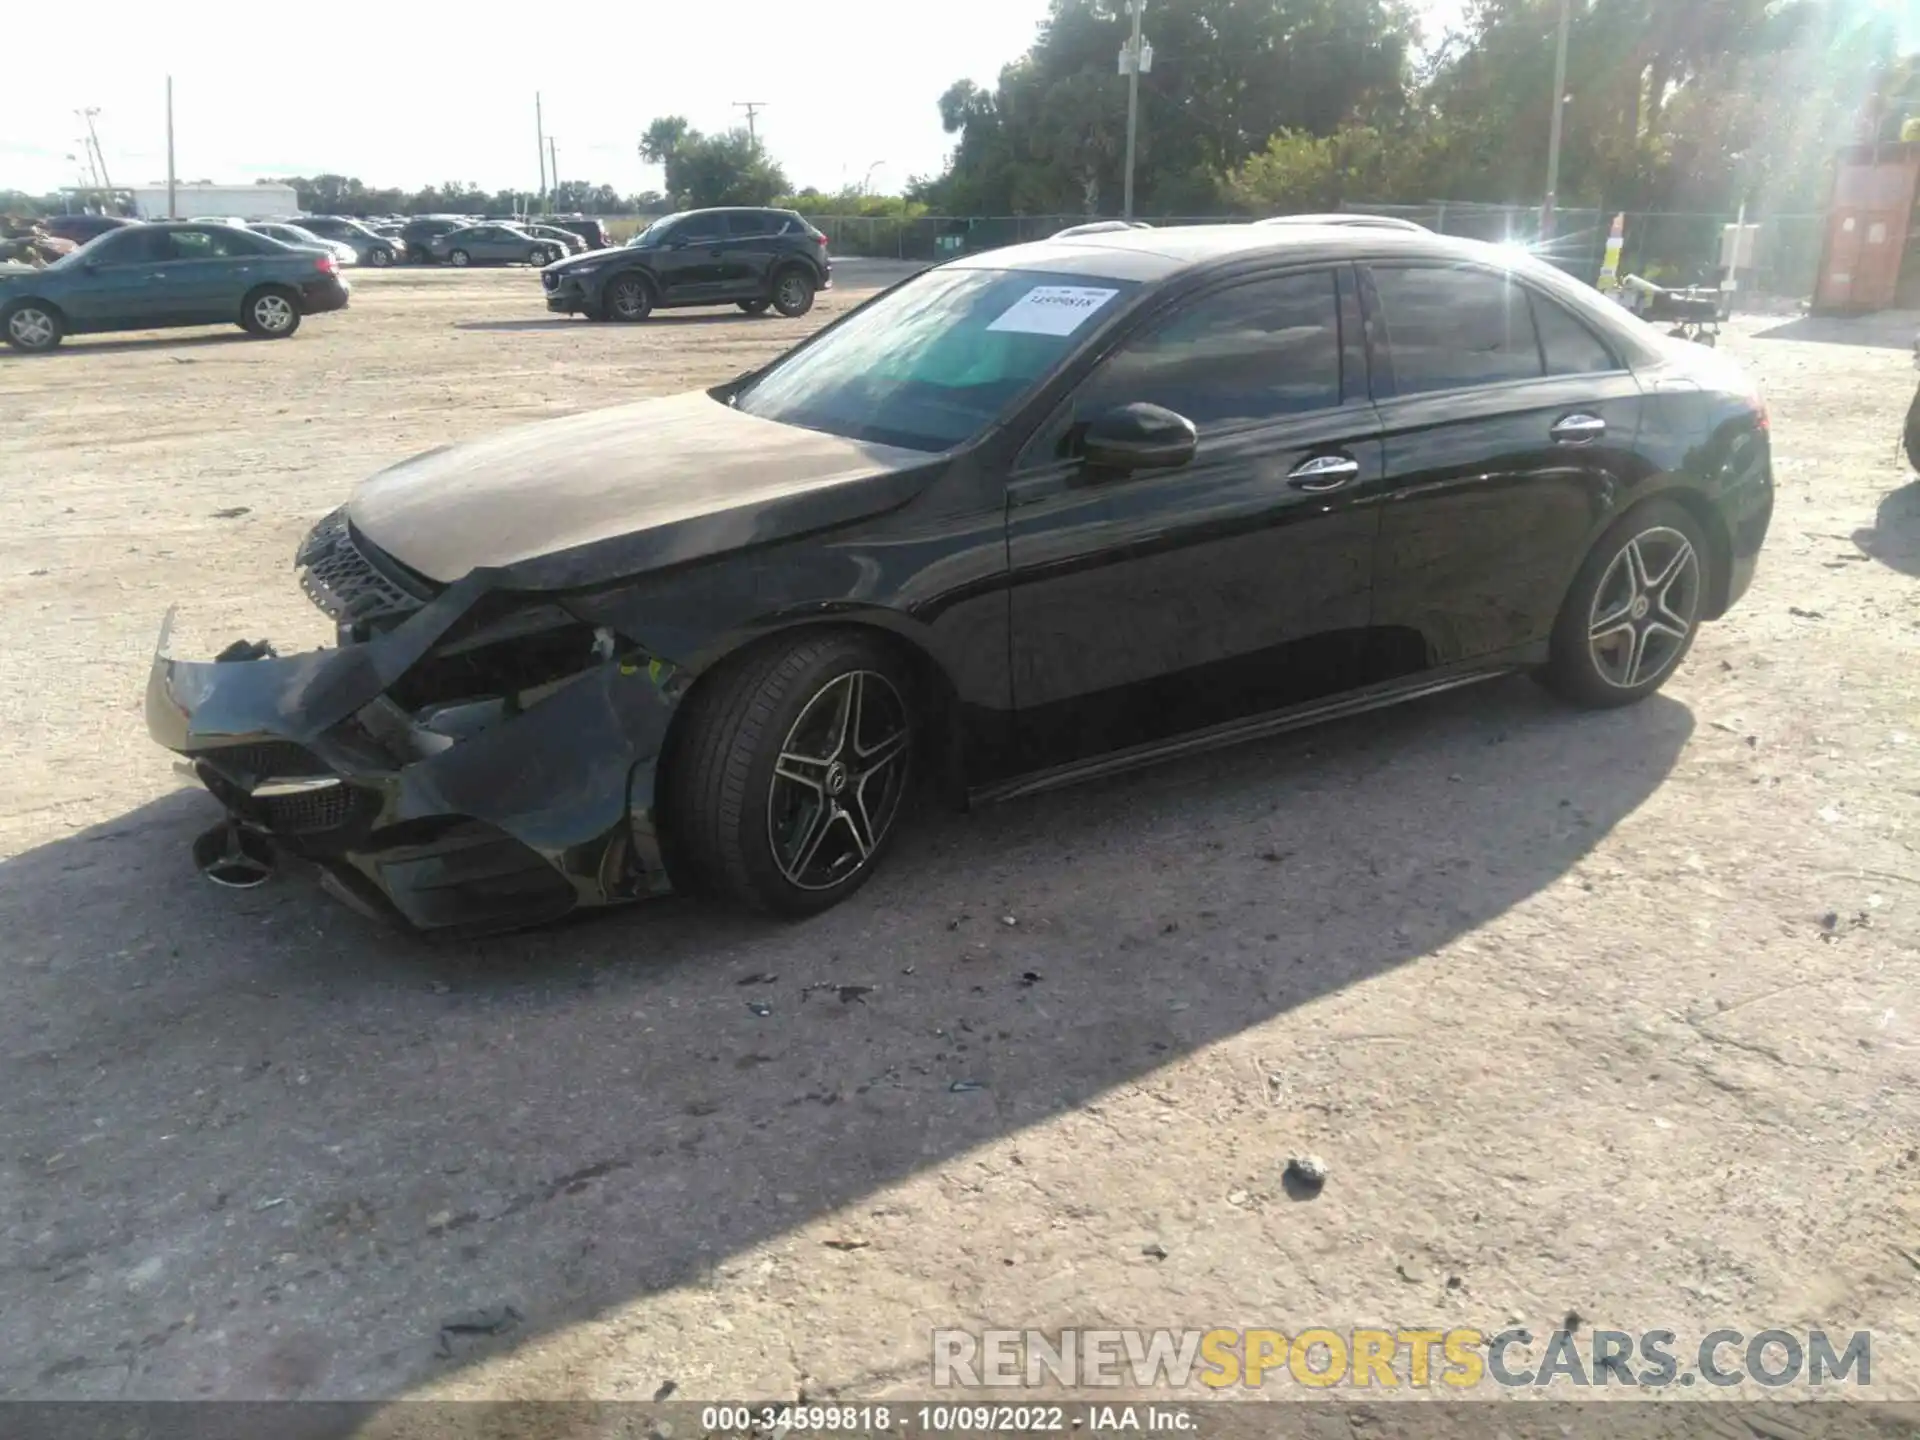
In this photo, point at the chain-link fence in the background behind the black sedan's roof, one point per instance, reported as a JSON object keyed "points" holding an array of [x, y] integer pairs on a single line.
{"points": [[1662, 247]]}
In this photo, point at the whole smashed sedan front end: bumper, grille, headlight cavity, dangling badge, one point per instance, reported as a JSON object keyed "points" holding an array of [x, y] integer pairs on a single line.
{"points": [[466, 759]]}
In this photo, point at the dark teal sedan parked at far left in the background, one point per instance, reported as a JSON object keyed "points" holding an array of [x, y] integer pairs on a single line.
{"points": [[170, 274]]}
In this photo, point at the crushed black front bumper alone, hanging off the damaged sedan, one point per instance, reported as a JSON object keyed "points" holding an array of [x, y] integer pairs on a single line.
{"points": [[544, 811]]}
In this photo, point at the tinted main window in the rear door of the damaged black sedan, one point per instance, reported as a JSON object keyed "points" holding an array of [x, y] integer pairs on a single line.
{"points": [[1451, 329]]}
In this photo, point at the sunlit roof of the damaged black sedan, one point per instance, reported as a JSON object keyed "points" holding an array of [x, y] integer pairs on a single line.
{"points": [[1163, 254]]}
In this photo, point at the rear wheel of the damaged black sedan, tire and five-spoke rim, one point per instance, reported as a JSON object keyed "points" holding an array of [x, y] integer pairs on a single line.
{"points": [[1633, 612]]}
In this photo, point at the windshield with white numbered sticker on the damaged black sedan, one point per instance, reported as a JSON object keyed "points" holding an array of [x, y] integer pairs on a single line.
{"points": [[934, 364]]}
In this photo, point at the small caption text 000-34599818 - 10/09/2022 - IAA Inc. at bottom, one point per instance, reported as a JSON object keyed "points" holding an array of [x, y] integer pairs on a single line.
{"points": [[946, 1420]]}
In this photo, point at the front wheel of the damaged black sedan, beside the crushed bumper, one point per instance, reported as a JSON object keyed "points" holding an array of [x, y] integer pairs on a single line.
{"points": [[794, 771]]}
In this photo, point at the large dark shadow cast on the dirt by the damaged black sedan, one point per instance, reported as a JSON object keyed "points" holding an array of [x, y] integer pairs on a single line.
{"points": [[322, 1138]]}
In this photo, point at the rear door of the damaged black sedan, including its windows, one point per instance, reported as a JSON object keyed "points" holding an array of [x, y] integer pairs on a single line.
{"points": [[1510, 429]]}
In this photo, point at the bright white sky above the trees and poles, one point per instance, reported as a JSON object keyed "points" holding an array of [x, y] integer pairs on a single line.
{"points": [[416, 95]]}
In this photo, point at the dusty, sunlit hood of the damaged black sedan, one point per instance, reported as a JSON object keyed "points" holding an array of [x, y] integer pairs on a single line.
{"points": [[688, 475]]}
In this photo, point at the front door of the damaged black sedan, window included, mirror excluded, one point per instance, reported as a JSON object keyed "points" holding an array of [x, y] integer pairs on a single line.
{"points": [[1164, 602]]}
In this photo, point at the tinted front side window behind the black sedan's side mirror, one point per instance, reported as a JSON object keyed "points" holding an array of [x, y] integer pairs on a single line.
{"points": [[1253, 352]]}
